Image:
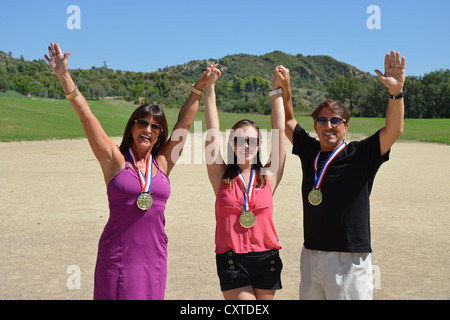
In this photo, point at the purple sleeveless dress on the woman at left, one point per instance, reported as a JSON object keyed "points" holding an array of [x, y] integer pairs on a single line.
{"points": [[132, 251]]}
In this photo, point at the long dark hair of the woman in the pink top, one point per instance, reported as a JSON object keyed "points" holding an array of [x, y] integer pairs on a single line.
{"points": [[232, 171]]}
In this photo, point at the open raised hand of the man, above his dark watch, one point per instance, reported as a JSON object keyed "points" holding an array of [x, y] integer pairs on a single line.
{"points": [[394, 72]]}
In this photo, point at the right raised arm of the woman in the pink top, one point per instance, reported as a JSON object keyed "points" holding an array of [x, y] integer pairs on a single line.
{"points": [[277, 159]]}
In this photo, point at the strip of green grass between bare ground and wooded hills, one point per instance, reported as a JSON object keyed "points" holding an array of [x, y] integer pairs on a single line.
{"points": [[27, 119]]}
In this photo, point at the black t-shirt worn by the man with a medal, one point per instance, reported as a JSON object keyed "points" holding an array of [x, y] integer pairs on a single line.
{"points": [[342, 221]]}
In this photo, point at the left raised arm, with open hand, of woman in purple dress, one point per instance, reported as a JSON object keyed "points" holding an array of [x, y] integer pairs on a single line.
{"points": [[105, 150]]}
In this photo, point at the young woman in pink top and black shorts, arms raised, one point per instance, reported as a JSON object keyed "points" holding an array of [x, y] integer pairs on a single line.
{"points": [[247, 257]]}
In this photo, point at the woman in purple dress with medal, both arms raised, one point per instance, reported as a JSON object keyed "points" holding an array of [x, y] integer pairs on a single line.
{"points": [[132, 251]]}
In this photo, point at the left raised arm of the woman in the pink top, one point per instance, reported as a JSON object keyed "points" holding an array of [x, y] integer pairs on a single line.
{"points": [[214, 161]]}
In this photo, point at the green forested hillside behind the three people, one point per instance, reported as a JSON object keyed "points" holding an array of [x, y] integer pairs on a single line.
{"points": [[243, 87]]}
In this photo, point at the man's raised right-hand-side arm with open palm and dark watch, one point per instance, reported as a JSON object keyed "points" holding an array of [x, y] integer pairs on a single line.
{"points": [[394, 79]]}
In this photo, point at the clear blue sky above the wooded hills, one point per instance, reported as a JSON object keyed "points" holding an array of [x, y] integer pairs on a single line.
{"points": [[147, 35]]}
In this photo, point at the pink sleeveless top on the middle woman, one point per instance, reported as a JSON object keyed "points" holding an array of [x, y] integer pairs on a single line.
{"points": [[230, 235]]}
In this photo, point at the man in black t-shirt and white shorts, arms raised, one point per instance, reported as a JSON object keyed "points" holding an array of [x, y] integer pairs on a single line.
{"points": [[337, 181]]}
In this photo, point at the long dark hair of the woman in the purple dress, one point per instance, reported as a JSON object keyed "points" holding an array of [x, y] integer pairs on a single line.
{"points": [[142, 112]]}
